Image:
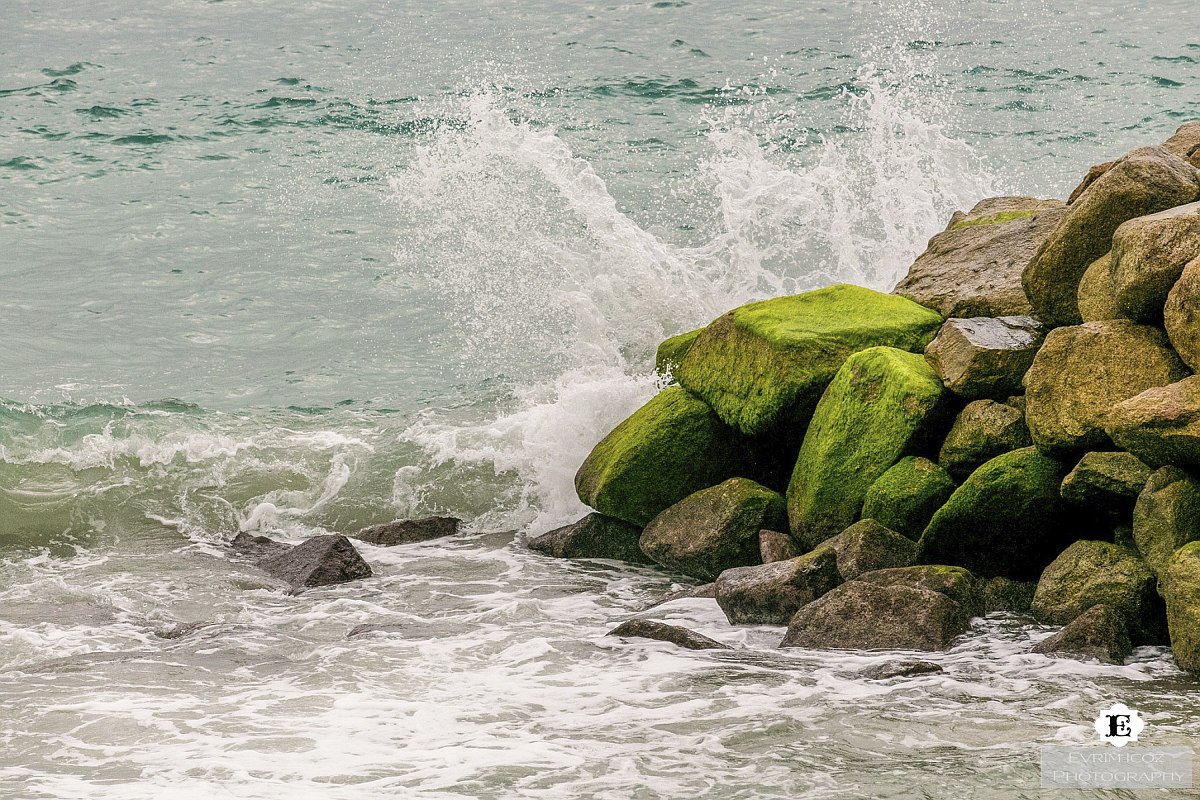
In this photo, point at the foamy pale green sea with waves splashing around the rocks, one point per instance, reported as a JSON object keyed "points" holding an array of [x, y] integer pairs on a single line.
{"points": [[302, 268]]}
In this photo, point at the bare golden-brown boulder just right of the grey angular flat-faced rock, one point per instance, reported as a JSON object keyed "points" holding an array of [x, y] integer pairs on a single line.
{"points": [[1083, 372]]}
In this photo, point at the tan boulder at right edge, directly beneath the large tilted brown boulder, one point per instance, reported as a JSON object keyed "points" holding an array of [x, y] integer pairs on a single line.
{"points": [[1149, 255]]}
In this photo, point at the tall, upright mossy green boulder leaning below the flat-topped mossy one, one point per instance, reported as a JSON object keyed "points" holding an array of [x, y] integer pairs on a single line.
{"points": [[879, 407]]}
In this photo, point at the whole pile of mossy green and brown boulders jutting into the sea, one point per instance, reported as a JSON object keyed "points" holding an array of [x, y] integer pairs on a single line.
{"points": [[1017, 426]]}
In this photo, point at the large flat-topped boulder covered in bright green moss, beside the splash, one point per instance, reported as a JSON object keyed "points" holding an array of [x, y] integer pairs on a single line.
{"points": [[765, 365]]}
